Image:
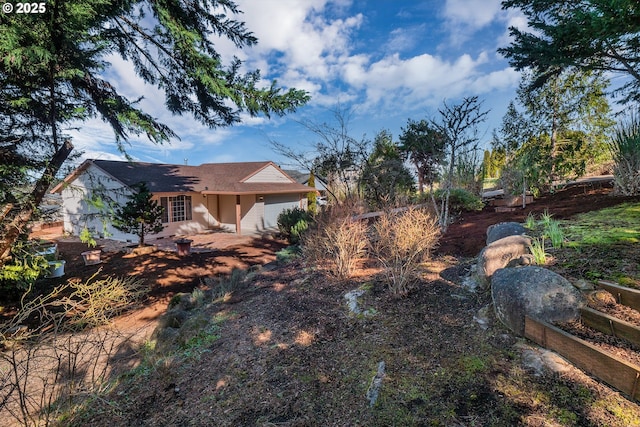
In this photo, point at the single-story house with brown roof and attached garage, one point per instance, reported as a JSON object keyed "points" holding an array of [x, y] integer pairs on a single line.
{"points": [[245, 198]]}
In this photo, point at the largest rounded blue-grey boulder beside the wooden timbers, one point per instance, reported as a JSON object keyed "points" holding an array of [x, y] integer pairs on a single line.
{"points": [[535, 292]]}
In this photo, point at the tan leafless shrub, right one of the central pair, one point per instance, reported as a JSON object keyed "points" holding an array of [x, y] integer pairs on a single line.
{"points": [[401, 242]]}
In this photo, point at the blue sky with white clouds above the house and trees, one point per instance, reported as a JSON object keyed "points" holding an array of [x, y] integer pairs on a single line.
{"points": [[386, 60]]}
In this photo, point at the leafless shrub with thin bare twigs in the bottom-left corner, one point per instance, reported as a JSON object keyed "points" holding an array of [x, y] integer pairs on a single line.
{"points": [[48, 363]]}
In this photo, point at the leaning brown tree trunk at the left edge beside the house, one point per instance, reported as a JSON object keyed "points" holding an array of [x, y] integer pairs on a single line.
{"points": [[14, 223]]}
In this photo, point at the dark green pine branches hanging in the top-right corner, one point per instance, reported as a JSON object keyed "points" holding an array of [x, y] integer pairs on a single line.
{"points": [[589, 35]]}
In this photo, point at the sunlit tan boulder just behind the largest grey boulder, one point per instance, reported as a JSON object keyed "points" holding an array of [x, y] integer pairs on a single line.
{"points": [[500, 254]]}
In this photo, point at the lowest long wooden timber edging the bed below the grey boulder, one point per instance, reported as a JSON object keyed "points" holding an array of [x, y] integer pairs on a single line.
{"points": [[610, 369]]}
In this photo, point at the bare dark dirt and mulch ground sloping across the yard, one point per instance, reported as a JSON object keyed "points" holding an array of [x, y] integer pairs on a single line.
{"points": [[290, 354]]}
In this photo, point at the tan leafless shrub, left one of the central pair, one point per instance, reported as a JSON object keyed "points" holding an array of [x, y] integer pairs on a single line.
{"points": [[338, 240]]}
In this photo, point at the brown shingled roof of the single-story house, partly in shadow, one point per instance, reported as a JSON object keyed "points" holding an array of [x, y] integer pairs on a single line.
{"points": [[208, 178]]}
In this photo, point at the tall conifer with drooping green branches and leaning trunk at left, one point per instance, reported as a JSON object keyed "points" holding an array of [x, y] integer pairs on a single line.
{"points": [[52, 77]]}
